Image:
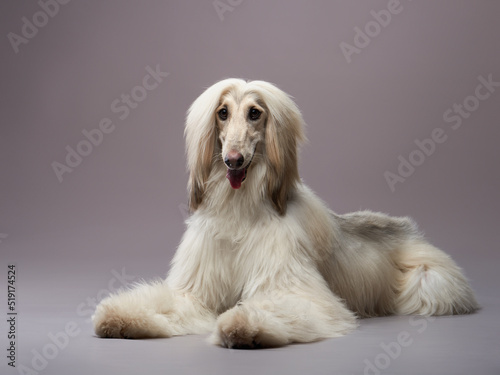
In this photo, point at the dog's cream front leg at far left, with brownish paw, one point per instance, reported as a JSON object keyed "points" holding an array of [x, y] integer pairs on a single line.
{"points": [[151, 310]]}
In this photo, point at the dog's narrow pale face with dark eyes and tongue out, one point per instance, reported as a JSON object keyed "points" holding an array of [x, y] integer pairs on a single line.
{"points": [[241, 126]]}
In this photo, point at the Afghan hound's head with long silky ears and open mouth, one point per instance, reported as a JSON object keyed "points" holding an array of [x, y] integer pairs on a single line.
{"points": [[240, 124]]}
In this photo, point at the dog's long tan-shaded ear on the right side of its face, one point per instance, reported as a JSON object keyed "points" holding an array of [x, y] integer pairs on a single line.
{"points": [[284, 130]]}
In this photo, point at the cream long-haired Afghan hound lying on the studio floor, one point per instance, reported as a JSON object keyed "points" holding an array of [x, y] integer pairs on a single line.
{"points": [[263, 261]]}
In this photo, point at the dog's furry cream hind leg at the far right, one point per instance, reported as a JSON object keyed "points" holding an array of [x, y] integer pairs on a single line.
{"points": [[430, 282]]}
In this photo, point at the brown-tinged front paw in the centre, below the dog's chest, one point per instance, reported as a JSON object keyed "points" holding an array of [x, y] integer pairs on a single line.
{"points": [[243, 328]]}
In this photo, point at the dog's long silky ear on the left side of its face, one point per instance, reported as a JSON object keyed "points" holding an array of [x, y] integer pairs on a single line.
{"points": [[201, 138]]}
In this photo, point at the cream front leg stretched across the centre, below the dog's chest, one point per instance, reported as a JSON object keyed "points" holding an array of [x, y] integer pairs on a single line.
{"points": [[283, 317]]}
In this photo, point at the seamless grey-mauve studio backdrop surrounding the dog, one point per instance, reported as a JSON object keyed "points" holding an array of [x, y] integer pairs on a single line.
{"points": [[121, 210]]}
